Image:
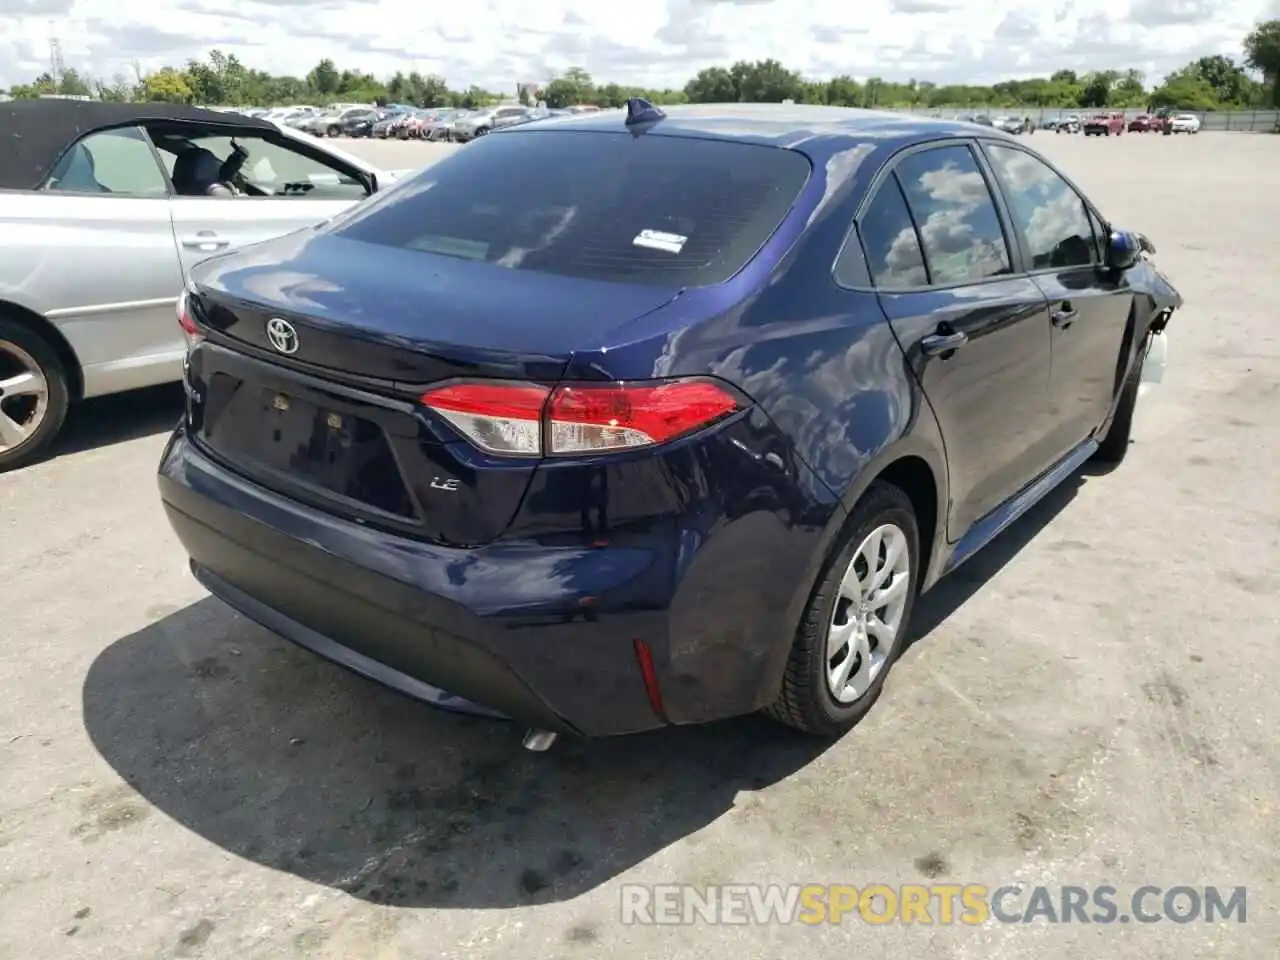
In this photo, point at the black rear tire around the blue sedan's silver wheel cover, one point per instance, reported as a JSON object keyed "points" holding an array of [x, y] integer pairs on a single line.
{"points": [[806, 701]]}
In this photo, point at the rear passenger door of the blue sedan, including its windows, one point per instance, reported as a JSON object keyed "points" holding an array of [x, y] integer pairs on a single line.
{"points": [[976, 333]]}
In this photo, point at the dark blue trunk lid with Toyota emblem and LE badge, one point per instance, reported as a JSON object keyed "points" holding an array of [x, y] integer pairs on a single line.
{"points": [[328, 415]]}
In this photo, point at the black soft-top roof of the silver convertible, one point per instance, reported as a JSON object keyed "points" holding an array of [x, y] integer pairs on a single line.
{"points": [[38, 132]]}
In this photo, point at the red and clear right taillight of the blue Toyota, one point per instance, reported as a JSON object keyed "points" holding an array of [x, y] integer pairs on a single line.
{"points": [[527, 420]]}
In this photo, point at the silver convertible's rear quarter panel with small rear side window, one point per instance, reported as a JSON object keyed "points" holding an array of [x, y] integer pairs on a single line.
{"points": [[94, 252]]}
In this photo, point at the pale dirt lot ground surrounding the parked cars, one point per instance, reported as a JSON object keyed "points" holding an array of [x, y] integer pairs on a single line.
{"points": [[1090, 702]]}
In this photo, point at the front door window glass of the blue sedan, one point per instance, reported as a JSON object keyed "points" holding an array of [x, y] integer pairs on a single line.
{"points": [[1046, 212]]}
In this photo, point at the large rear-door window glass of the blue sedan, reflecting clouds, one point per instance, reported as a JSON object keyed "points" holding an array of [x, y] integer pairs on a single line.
{"points": [[957, 217]]}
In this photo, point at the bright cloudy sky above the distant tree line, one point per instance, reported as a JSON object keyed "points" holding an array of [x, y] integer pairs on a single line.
{"points": [[651, 43]]}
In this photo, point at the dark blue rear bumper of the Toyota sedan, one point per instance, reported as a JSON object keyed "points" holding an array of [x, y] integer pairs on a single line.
{"points": [[534, 633]]}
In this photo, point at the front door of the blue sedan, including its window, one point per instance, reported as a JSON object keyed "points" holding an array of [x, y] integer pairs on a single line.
{"points": [[1089, 305]]}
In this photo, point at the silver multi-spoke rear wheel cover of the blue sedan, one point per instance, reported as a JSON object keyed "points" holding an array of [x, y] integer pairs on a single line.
{"points": [[868, 615]]}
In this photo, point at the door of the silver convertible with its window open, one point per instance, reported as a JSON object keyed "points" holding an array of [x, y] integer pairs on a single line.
{"points": [[285, 190]]}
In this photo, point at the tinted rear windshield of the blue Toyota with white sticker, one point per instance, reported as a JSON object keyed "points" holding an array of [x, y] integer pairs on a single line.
{"points": [[668, 212]]}
